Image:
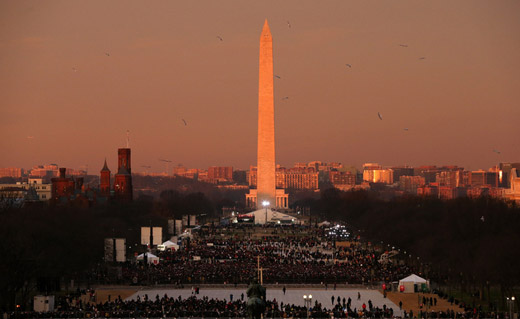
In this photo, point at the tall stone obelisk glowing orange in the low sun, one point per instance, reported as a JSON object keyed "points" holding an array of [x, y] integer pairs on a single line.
{"points": [[266, 171]]}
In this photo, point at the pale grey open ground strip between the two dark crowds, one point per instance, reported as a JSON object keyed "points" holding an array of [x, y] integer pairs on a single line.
{"points": [[292, 295]]}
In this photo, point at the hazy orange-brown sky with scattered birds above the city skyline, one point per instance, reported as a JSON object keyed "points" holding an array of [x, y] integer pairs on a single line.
{"points": [[76, 75]]}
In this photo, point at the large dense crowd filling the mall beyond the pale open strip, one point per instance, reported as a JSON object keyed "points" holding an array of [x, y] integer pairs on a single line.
{"points": [[287, 260]]}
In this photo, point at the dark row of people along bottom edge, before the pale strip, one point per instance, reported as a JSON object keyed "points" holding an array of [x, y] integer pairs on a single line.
{"points": [[216, 308]]}
